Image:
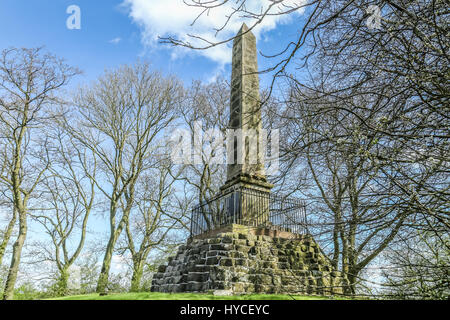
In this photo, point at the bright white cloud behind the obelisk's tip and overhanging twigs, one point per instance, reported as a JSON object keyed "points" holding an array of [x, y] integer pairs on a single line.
{"points": [[174, 18]]}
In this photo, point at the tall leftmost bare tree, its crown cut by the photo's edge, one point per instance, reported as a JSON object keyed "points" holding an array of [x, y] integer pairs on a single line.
{"points": [[29, 84]]}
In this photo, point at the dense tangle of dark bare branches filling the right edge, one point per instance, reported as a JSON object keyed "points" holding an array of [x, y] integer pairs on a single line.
{"points": [[391, 81]]}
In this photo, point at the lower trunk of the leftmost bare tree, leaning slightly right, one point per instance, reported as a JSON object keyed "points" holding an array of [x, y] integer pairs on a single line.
{"points": [[15, 260]]}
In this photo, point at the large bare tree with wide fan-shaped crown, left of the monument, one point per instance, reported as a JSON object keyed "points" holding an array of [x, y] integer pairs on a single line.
{"points": [[119, 117]]}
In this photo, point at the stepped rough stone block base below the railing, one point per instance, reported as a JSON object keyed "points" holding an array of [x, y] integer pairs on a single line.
{"points": [[245, 263]]}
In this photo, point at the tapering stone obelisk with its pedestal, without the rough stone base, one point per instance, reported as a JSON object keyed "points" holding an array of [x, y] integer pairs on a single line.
{"points": [[246, 144]]}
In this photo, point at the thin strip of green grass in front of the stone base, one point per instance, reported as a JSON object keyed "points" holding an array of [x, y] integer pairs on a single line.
{"points": [[191, 296]]}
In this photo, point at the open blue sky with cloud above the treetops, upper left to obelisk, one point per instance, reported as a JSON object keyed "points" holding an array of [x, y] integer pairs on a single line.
{"points": [[134, 24]]}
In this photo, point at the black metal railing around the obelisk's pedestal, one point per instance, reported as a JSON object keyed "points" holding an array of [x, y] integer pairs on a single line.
{"points": [[249, 207]]}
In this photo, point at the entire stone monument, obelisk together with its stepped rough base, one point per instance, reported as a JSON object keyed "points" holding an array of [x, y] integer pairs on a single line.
{"points": [[247, 252]]}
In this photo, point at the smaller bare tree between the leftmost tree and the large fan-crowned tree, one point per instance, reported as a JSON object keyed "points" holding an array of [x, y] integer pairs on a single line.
{"points": [[68, 191]]}
